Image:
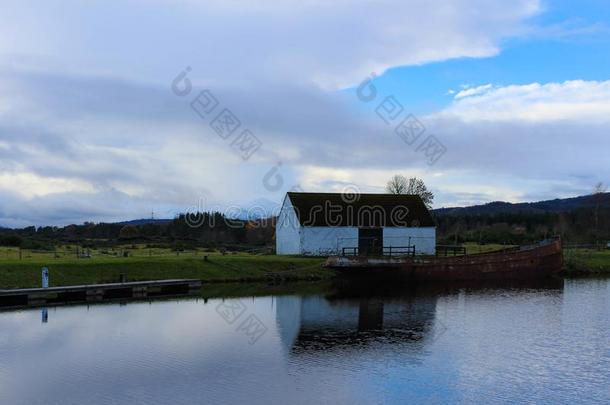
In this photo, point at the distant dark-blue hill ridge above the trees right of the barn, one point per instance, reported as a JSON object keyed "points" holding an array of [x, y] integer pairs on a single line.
{"points": [[541, 207]]}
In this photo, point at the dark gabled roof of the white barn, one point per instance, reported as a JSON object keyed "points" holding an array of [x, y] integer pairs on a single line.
{"points": [[362, 210]]}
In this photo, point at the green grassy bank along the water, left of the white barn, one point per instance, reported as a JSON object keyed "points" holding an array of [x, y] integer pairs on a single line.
{"points": [[15, 273]]}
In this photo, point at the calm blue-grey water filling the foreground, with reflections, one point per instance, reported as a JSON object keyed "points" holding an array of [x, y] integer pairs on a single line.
{"points": [[536, 344]]}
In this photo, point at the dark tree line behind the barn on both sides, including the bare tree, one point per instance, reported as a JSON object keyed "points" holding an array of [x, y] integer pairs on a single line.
{"points": [[586, 224]]}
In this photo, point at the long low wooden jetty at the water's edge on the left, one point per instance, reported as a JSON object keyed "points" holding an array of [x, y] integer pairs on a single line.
{"points": [[33, 297]]}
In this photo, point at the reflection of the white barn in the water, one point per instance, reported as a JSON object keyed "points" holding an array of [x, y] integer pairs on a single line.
{"points": [[344, 320]]}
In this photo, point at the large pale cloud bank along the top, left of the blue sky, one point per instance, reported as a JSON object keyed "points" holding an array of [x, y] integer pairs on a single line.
{"points": [[333, 44]]}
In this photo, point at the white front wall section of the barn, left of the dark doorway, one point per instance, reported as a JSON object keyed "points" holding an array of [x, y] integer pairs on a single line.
{"points": [[324, 241]]}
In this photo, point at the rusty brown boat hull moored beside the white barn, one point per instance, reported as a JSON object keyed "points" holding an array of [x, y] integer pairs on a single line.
{"points": [[526, 262]]}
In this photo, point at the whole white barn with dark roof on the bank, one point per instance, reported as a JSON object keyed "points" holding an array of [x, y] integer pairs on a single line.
{"points": [[322, 224]]}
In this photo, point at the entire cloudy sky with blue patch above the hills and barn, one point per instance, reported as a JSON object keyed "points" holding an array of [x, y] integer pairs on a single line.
{"points": [[110, 110]]}
